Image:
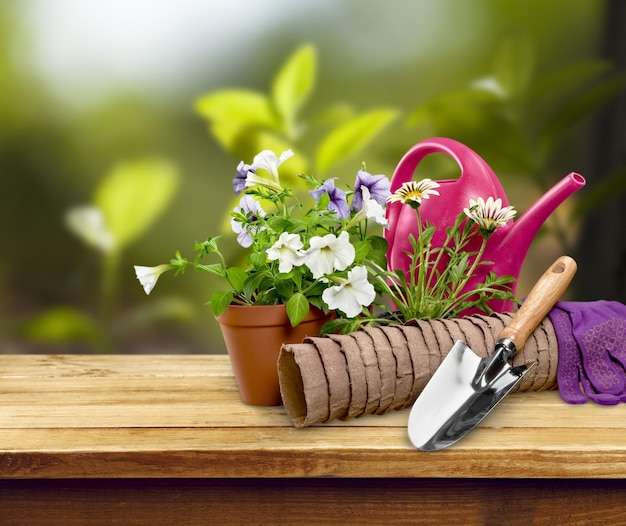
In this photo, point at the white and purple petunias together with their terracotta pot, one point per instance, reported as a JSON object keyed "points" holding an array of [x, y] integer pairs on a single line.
{"points": [[304, 266]]}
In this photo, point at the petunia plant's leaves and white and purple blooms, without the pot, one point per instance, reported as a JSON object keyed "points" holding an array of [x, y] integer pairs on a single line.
{"points": [[297, 256]]}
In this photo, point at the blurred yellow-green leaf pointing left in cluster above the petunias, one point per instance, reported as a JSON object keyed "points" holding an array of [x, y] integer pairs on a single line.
{"points": [[237, 107]]}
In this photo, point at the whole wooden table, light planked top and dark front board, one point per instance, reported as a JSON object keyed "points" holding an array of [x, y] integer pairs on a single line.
{"points": [[166, 440]]}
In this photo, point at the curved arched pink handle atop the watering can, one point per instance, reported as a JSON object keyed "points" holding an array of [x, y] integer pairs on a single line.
{"points": [[474, 170]]}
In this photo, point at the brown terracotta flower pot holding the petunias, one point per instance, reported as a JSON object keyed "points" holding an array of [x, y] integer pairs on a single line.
{"points": [[253, 336]]}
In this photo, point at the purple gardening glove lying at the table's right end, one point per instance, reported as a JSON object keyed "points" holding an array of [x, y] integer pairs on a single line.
{"points": [[592, 351]]}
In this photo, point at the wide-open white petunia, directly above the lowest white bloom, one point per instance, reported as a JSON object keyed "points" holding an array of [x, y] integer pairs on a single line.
{"points": [[329, 253]]}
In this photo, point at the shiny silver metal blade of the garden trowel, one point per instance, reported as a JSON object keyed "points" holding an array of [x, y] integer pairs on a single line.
{"points": [[453, 403]]}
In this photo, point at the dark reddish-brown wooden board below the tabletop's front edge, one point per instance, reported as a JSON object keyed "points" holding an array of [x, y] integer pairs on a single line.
{"points": [[313, 501]]}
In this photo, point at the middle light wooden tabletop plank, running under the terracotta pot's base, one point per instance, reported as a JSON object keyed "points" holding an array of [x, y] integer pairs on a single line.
{"points": [[179, 401]]}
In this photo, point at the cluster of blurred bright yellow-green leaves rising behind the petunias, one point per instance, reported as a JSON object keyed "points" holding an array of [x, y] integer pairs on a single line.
{"points": [[245, 122]]}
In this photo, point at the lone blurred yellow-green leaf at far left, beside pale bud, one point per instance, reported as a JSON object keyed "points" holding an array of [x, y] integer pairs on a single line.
{"points": [[134, 194]]}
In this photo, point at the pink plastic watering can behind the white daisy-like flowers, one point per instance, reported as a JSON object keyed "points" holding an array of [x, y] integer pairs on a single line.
{"points": [[508, 245]]}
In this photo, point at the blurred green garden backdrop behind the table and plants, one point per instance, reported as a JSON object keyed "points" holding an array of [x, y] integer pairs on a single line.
{"points": [[100, 104]]}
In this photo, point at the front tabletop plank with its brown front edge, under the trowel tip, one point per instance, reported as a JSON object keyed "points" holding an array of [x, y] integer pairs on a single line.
{"points": [[346, 452]]}
